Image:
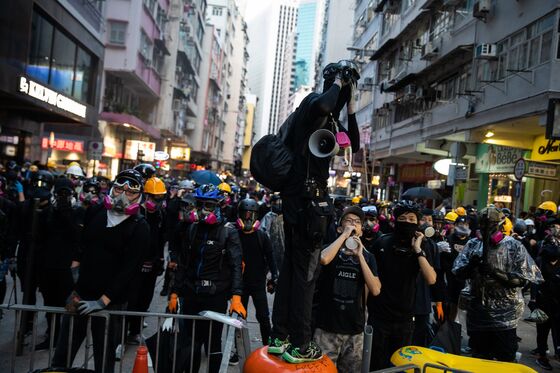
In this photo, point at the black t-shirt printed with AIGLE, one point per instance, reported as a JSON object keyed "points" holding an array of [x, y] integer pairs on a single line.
{"points": [[341, 294]]}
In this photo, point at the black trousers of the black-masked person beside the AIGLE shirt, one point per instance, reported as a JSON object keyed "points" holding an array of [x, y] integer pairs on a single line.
{"points": [[388, 337]]}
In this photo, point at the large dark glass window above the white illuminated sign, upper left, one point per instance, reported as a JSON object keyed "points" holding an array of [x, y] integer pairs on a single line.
{"points": [[55, 59]]}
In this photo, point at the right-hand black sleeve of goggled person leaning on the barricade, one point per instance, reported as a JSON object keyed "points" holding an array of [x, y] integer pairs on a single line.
{"points": [[137, 247]]}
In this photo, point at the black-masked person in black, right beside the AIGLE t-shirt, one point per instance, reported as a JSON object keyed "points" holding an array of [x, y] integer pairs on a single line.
{"points": [[400, 257]]}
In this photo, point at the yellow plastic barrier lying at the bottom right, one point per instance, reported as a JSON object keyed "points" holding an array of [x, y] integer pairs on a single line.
{"points": [[420, 356]]}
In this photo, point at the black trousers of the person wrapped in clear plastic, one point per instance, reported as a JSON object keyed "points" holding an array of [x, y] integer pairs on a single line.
{"points": [[494, 344]]}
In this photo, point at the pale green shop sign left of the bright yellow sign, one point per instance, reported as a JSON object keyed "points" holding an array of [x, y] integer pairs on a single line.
{"points": [[498, 159]]}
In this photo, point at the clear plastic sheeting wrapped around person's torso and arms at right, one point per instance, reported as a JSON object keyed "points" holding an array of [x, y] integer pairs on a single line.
{"points": [[491, 305]]}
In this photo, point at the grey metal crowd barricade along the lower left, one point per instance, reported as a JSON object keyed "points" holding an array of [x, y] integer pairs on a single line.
{"points": [[17, 363]]}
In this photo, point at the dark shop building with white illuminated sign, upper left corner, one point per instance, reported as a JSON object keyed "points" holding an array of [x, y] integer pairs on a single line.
{"points": [[48, 81]]}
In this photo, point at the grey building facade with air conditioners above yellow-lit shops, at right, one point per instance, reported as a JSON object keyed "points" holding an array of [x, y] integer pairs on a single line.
{"points": [[468, 81]]}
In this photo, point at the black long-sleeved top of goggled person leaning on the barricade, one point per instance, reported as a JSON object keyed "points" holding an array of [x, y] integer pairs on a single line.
{"points": [[110, 257]]}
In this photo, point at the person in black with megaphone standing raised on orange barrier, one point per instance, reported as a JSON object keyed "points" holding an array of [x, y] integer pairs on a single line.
{"points": [[317, 136]]}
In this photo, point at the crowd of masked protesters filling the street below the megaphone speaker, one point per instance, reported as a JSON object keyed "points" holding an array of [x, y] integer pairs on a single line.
{"points": [[90, 244]]}
